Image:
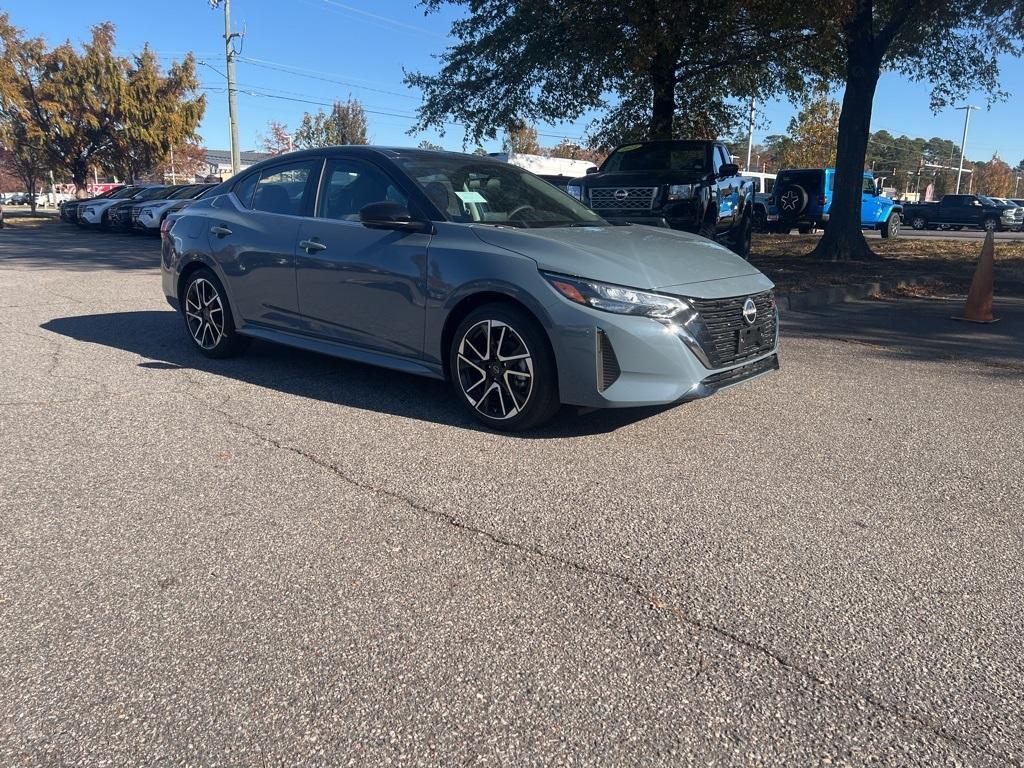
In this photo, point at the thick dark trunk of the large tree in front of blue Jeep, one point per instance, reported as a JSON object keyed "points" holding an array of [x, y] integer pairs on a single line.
{"points": [[843, 240]]}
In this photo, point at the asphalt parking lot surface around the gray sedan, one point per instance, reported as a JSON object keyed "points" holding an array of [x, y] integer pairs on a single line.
{"points": [[285, 559]]}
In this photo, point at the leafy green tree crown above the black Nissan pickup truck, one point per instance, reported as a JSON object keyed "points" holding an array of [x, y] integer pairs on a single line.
{"points": [[655, 69]]}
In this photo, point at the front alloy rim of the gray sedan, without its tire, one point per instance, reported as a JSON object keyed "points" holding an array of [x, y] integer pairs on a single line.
{"points": [[495, 370]]}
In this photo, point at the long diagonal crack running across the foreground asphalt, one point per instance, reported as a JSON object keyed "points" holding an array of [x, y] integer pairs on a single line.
{"points": [[638, 590]]}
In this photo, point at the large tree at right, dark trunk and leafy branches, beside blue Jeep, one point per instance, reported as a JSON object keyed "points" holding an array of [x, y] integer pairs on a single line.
{"points": [[955, 46]]}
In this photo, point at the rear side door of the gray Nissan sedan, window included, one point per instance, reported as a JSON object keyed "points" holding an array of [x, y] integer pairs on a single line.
{"points": [[252, 234]]}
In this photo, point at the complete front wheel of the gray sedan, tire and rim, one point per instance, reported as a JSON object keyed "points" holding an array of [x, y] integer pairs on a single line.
{"points": [[519, 394]]}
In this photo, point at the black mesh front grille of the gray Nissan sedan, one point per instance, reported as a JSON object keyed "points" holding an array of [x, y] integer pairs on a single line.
{"points": [[724, 319]]}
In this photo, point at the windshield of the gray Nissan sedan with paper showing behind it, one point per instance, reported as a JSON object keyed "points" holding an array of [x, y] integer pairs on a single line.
{"points": [[488, 192]]}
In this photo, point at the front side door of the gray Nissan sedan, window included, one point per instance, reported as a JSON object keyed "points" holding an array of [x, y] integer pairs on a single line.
{"points": [[357, 285]]}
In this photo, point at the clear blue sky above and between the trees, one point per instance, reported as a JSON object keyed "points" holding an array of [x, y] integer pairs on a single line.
{"points": [[301, 52]]}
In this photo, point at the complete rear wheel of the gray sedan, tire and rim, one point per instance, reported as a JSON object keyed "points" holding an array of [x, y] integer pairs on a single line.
{"points": [[211, 329]]}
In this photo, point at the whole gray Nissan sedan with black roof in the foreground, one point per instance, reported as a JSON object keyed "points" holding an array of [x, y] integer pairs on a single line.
{"points": [[464, 268]]}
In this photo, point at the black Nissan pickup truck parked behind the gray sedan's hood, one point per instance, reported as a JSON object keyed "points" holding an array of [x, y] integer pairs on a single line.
{"points": [[684, 185]]}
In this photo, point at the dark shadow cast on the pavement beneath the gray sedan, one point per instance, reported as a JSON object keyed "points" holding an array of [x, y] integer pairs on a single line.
{"points": [[160, 338]]}
